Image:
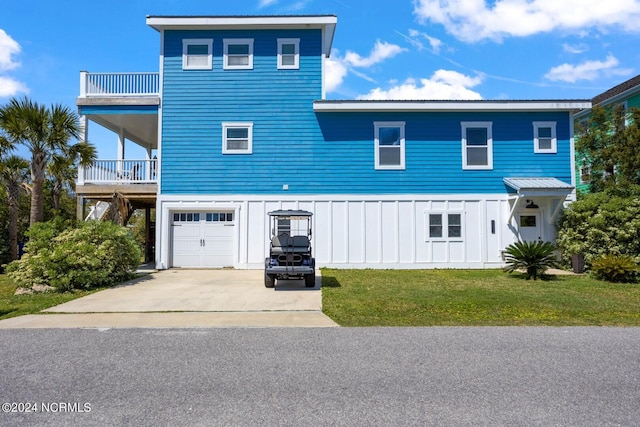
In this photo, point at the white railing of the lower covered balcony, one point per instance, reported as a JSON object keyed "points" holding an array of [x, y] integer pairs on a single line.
{"points": [[119, 172]]}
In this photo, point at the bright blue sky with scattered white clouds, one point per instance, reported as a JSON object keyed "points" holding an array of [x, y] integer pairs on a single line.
{"points": [[383, 49]]}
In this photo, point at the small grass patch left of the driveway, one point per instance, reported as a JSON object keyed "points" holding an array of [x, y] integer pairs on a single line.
{"points": [[18, 305]]}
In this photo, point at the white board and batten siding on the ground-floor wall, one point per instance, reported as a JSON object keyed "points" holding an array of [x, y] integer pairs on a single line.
{"points": [[349, 231]]}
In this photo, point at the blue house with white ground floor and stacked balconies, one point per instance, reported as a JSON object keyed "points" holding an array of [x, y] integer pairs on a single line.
{"points": [[238, 119]]}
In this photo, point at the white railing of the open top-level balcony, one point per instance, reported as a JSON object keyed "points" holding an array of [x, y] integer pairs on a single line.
{"points": [[119, 84]]}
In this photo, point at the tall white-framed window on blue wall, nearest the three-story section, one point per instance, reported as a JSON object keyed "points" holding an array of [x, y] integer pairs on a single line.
{"points": [[389, 145]]}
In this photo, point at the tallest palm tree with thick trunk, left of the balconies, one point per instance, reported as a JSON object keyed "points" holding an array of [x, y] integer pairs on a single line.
{"points": [[44, 132]]}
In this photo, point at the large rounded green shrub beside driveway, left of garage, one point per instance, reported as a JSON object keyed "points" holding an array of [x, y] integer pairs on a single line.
{"points": [[91, 254]]}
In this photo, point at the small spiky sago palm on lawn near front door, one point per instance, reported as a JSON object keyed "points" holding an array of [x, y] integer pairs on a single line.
{"points": [[534, 258]]}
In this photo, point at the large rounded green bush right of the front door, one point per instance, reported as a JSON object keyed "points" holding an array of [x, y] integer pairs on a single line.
{"points": [[600, 224]]}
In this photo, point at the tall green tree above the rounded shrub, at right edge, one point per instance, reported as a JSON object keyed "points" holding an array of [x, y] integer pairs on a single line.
{"points": [[609, 143]]}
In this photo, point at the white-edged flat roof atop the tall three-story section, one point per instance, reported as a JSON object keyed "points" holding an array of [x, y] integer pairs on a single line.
{"points": [[326, 23]]}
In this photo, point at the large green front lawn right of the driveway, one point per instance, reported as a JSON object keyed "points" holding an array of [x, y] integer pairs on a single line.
{"points": [[474, 297]]}
